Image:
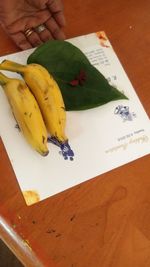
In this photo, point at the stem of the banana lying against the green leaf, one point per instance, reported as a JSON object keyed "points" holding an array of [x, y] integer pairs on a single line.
{"points": [[12, 66]]}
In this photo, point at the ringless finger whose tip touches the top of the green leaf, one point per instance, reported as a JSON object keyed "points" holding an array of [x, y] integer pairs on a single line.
{"points": [[55, 30]]}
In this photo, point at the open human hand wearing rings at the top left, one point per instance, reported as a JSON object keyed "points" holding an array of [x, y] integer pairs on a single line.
{"points": [[20, 17]]}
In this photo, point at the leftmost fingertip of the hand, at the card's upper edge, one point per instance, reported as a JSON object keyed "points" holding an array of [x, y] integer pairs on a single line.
{"points": [[20, 40]]}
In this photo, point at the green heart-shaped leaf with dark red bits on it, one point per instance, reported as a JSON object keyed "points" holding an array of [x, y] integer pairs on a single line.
{"points": [[81, 84]]}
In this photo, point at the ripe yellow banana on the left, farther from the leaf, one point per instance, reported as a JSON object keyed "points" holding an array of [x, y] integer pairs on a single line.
{"points": [[26, 112]]}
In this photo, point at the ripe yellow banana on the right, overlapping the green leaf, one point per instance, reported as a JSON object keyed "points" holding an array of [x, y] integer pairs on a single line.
{"points": [[47, 93]]}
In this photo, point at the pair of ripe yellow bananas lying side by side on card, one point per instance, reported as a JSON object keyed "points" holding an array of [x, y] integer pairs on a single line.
{"points": [[37, 104]]}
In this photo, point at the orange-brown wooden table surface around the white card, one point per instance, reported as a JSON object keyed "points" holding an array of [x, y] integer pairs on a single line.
{"points": [[104, 222]]}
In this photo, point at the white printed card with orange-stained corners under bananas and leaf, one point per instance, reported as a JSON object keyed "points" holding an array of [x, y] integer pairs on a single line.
{"points": [[102, 138]]}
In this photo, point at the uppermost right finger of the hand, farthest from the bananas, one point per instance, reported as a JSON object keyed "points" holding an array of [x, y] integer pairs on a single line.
{"points": [[56, 8]]}
